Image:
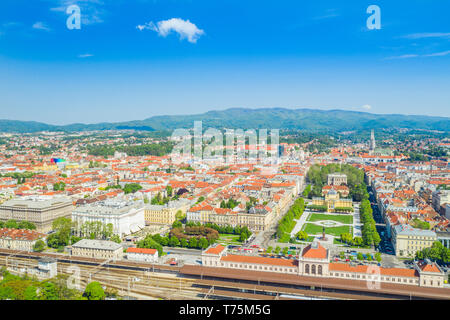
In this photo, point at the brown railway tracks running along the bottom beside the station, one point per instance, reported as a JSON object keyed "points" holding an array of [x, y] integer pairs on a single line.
{"points": [[167, 282]]}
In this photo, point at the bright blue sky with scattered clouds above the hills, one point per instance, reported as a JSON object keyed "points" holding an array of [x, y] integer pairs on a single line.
{"points": [[133, 59]]}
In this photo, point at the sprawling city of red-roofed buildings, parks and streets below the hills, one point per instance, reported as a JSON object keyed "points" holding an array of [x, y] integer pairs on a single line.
{"points": [[371, 214]]}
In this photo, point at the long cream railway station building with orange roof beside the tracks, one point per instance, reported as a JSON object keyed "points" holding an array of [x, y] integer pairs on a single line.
{"points": [[314, 262]]}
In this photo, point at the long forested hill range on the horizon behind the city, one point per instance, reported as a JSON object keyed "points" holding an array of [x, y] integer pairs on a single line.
{"points": [[311, 120]]}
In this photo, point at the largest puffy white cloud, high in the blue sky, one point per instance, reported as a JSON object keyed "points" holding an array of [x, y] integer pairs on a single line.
{"points": [[184, 28]]}
